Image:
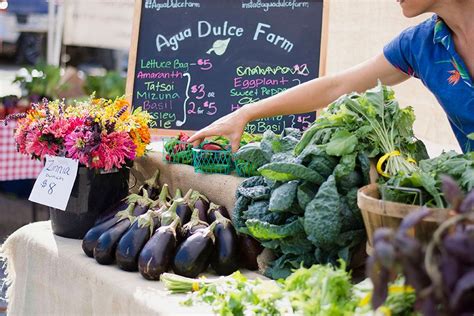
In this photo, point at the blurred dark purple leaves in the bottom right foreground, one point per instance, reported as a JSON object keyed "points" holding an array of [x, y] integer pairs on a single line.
{"points": [[441, 272]]}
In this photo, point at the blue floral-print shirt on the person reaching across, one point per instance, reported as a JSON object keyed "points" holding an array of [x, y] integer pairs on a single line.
{"points": [[427, 52]]}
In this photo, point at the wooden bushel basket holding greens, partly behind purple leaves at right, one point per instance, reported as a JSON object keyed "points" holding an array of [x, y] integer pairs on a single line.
{"points": [[378, 213]]}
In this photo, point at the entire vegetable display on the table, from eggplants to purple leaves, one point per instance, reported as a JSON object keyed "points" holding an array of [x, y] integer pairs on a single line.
{"points": [[296, 220]]}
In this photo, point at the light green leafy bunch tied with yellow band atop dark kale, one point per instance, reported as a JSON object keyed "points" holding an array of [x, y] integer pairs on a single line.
{"points": [[371, 122]]}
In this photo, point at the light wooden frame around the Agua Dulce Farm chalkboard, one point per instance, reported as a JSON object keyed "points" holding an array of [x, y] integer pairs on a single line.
{"points": [[134, 49]]}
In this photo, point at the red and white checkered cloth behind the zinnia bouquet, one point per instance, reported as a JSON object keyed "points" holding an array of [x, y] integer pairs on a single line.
{"points": [[13, 165]]}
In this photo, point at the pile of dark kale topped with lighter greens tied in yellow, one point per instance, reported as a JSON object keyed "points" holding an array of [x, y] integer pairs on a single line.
{"points": [[304, 205]]}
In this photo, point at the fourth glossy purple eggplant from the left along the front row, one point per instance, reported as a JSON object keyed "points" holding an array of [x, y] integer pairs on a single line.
{"points": [[156, 256]]}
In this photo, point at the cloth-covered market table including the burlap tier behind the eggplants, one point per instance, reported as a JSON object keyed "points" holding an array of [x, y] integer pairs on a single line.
{"points": [[51, 274]]}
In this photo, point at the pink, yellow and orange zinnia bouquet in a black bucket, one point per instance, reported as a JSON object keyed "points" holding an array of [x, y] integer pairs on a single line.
{"points": [[104, 136]]}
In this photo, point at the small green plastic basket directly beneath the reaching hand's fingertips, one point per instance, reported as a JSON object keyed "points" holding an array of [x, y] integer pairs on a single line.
{"points": [[212, 161]]}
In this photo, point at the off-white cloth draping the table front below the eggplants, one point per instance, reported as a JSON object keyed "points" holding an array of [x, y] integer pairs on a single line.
{"points": [[52, 276]]}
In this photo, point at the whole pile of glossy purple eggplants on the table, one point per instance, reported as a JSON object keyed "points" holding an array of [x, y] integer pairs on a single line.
{"points": [[153, 232]]}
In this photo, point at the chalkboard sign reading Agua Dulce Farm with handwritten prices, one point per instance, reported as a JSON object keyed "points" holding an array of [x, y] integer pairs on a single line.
{"points": [[194, 61]]}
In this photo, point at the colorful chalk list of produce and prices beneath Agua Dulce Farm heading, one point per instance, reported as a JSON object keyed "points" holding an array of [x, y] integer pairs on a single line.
{"points": [[173, 97]]}
